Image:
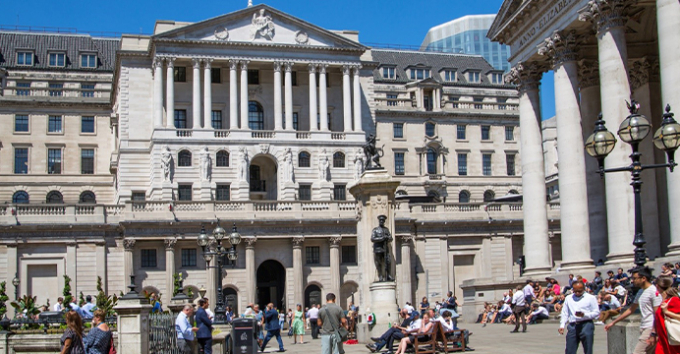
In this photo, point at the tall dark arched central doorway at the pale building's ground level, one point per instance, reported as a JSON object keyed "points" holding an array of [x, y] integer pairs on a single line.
{"points": [[271, 284]]}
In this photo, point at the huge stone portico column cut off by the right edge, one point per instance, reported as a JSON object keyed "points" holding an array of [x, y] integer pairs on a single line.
{"points": [[668, 22]]}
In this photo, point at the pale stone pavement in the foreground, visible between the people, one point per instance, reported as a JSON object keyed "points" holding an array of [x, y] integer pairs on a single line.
{"points": [[494, 338]]}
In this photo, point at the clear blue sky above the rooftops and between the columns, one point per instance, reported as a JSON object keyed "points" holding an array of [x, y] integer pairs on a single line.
{"points": [[378, 21]]}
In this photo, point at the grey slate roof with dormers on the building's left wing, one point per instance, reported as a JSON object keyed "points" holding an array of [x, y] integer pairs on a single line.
{"points": [[73, 45]]}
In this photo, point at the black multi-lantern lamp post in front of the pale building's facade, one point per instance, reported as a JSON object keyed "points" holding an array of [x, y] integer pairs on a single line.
{"points": [[215, 249]]}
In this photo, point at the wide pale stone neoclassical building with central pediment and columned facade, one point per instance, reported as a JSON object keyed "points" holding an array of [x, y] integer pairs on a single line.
{"points": [[116, 152]]}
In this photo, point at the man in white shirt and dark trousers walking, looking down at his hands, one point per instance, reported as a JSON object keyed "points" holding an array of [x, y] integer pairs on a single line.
{"points": [[578, 312]]}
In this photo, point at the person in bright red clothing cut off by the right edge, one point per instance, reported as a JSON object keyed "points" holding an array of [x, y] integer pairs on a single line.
{"points": [[670, 306]]}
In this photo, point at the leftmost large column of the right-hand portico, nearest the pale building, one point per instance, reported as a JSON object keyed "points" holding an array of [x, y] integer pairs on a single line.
{"points": [[536, 244]]}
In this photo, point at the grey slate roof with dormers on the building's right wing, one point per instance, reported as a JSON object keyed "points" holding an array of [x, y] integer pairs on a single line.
{"points": [[436, 62]]}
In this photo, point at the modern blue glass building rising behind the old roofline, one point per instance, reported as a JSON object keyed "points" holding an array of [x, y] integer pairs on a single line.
{"points": [[467, 35]]}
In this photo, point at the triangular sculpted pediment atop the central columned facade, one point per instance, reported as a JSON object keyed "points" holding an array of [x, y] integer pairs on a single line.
{"points": [[260, 24]]}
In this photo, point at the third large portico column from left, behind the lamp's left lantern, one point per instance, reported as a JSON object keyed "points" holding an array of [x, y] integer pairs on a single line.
{"points": [[610, 19]]}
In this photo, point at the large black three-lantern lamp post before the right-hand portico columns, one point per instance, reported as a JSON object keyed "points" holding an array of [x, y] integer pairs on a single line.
{"points": [[633, 130]]}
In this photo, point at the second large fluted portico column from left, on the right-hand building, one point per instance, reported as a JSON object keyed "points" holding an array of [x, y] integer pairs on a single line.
{"points": [[561, 48]]}
